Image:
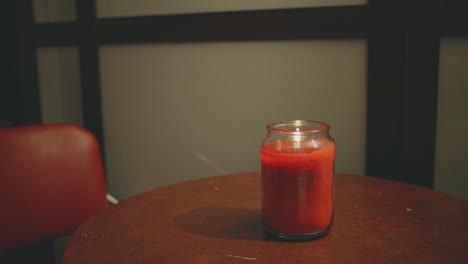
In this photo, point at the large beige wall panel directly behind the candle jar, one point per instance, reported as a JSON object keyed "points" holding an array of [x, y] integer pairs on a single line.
{"points": [[174, 112]]}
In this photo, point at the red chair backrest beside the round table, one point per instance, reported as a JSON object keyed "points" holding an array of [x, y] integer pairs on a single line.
{"points": [[51, 180]]}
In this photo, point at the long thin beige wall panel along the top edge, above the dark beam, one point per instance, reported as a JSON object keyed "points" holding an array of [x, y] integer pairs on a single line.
{"points": [[117, 8]]}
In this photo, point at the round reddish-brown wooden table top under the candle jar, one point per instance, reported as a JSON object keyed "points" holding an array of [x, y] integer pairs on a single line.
{"points": [[218, 220]]}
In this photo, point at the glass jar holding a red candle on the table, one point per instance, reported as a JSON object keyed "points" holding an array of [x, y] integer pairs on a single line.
{"points": [[298, 160]]}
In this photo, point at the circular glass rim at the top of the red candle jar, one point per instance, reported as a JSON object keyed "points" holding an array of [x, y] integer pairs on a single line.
{"points": [[298, 126]]}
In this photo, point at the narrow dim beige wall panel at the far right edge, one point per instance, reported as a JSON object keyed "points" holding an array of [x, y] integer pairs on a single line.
{"points": [[451, 167]]}
